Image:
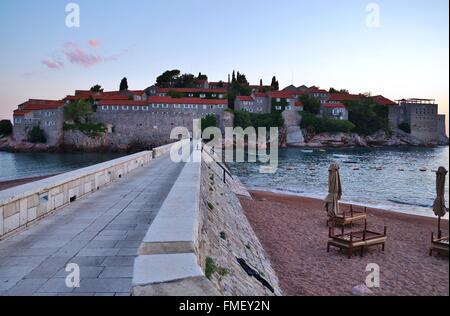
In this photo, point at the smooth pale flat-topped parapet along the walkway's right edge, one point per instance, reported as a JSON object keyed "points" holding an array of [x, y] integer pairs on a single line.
{"points": [[168, 256]]}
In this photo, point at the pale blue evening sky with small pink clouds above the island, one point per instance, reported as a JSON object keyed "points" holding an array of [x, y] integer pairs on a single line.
{"points": [[398, 48]]}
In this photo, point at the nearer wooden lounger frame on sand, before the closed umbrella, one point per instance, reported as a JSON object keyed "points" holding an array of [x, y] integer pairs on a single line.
{"points": [[356, 241]]}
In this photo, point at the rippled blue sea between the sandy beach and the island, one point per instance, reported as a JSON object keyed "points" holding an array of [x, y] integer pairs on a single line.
{"points": [[383, 177]]}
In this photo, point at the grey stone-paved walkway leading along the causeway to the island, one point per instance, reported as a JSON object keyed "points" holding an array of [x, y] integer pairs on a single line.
{"points": [[100, 233]]}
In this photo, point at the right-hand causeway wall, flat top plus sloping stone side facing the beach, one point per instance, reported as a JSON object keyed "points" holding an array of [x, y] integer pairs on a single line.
{"points": [[191, 248]]}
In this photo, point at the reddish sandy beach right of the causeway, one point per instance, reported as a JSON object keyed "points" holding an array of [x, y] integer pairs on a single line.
{"points": [[293, 231]]}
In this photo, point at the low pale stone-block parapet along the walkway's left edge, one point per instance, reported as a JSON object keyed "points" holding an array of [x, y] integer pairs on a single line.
{"points": [[25, 204]]}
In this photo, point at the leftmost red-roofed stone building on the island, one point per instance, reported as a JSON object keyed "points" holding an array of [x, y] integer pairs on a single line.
{"points": [[46, 114]]}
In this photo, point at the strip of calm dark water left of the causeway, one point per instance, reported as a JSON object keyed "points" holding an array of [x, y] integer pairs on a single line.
{"points": [[24, 165]]}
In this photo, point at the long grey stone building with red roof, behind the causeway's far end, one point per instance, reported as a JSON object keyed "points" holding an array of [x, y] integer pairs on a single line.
{"points": [[152, 121]]}
